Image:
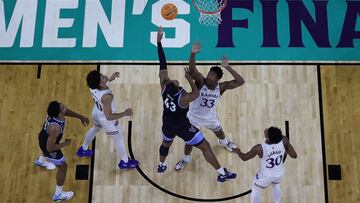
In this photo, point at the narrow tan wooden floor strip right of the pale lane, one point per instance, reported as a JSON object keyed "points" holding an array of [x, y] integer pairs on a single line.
{"points": [[341, 101]]}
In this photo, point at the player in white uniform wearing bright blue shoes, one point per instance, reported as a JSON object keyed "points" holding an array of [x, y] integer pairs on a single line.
{"points": [[105, 116]]}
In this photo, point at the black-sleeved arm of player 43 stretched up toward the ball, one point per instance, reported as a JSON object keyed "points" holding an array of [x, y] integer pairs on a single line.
{"points": [[163, 74]]}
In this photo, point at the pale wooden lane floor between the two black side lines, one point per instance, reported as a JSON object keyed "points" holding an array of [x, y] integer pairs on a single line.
{"points": [[270, 96]]}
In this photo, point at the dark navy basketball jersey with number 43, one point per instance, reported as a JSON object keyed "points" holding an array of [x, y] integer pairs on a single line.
{"points": [[173, 111]]}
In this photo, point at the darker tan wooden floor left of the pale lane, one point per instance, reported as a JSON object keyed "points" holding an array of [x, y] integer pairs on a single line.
{"points": [[23, 103]]}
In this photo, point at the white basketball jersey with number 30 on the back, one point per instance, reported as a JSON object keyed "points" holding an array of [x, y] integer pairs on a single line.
{"points": [[271, 164]]}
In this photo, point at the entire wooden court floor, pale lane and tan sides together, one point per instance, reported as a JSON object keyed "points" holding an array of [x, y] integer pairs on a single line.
{"points": [[270, 96]]}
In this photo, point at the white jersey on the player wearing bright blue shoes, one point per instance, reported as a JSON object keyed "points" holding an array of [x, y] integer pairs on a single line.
{"points": [[98, 105]]}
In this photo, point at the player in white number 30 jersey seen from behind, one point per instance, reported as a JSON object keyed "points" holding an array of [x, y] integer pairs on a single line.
{"points": [[271, 153]]}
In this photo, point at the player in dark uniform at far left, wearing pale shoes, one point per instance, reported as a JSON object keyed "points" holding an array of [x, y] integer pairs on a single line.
{"points": [[50, 145]]}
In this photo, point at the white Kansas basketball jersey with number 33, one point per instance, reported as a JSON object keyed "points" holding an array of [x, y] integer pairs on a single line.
{"points": [[205, 105]]}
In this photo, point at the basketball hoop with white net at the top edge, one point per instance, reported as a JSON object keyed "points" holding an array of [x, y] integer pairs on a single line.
{"points": [[210, 11]]}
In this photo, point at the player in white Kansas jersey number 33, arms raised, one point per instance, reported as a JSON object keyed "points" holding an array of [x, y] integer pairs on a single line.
{"points": [[202, 112]]}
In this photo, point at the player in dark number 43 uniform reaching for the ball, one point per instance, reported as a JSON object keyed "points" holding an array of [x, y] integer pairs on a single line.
{"points": [[176, 105]]}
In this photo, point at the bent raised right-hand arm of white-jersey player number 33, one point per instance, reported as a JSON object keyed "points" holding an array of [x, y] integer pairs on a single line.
{"points": [[238, 80]]}
